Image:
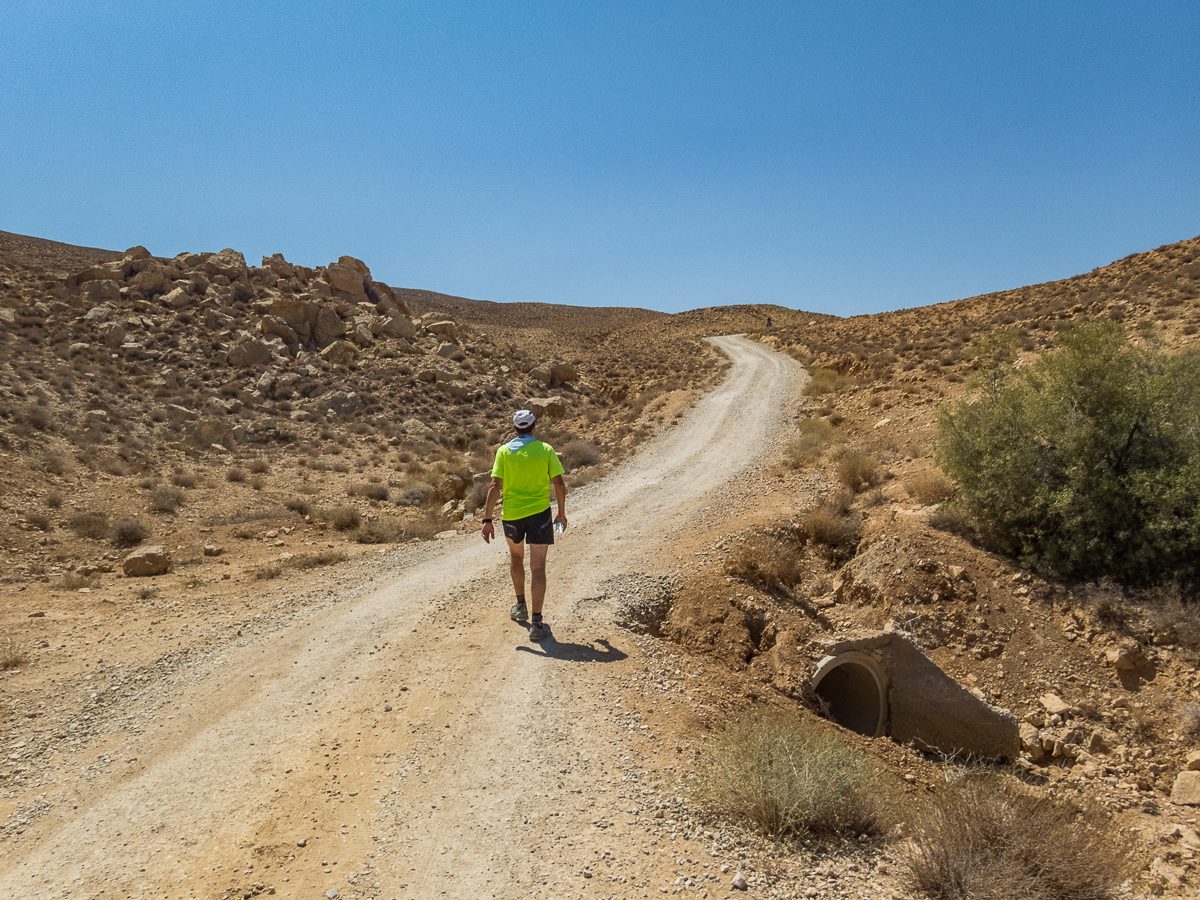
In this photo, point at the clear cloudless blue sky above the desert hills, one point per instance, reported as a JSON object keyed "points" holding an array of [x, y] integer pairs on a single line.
{"points": [[839, 158]]}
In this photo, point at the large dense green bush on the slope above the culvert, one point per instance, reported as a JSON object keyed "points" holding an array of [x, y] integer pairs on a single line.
{"points": [[1088, 464]]}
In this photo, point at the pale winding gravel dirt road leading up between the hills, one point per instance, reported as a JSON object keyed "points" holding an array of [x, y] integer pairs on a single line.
{"points": [[406, 739]]}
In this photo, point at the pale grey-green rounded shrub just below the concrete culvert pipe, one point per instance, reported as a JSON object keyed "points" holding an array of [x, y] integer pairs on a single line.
{"points": [[790, 777]]}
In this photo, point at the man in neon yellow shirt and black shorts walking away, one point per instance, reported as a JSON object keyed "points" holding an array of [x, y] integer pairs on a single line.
{"points": [[525, 470]]}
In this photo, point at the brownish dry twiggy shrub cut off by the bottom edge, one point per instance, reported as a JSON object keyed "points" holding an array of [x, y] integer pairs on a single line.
{"points": [[989, 839]]}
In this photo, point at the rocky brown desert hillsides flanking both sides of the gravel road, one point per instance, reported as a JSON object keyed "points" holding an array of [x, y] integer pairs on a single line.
{"points": [[263, 423]]}
